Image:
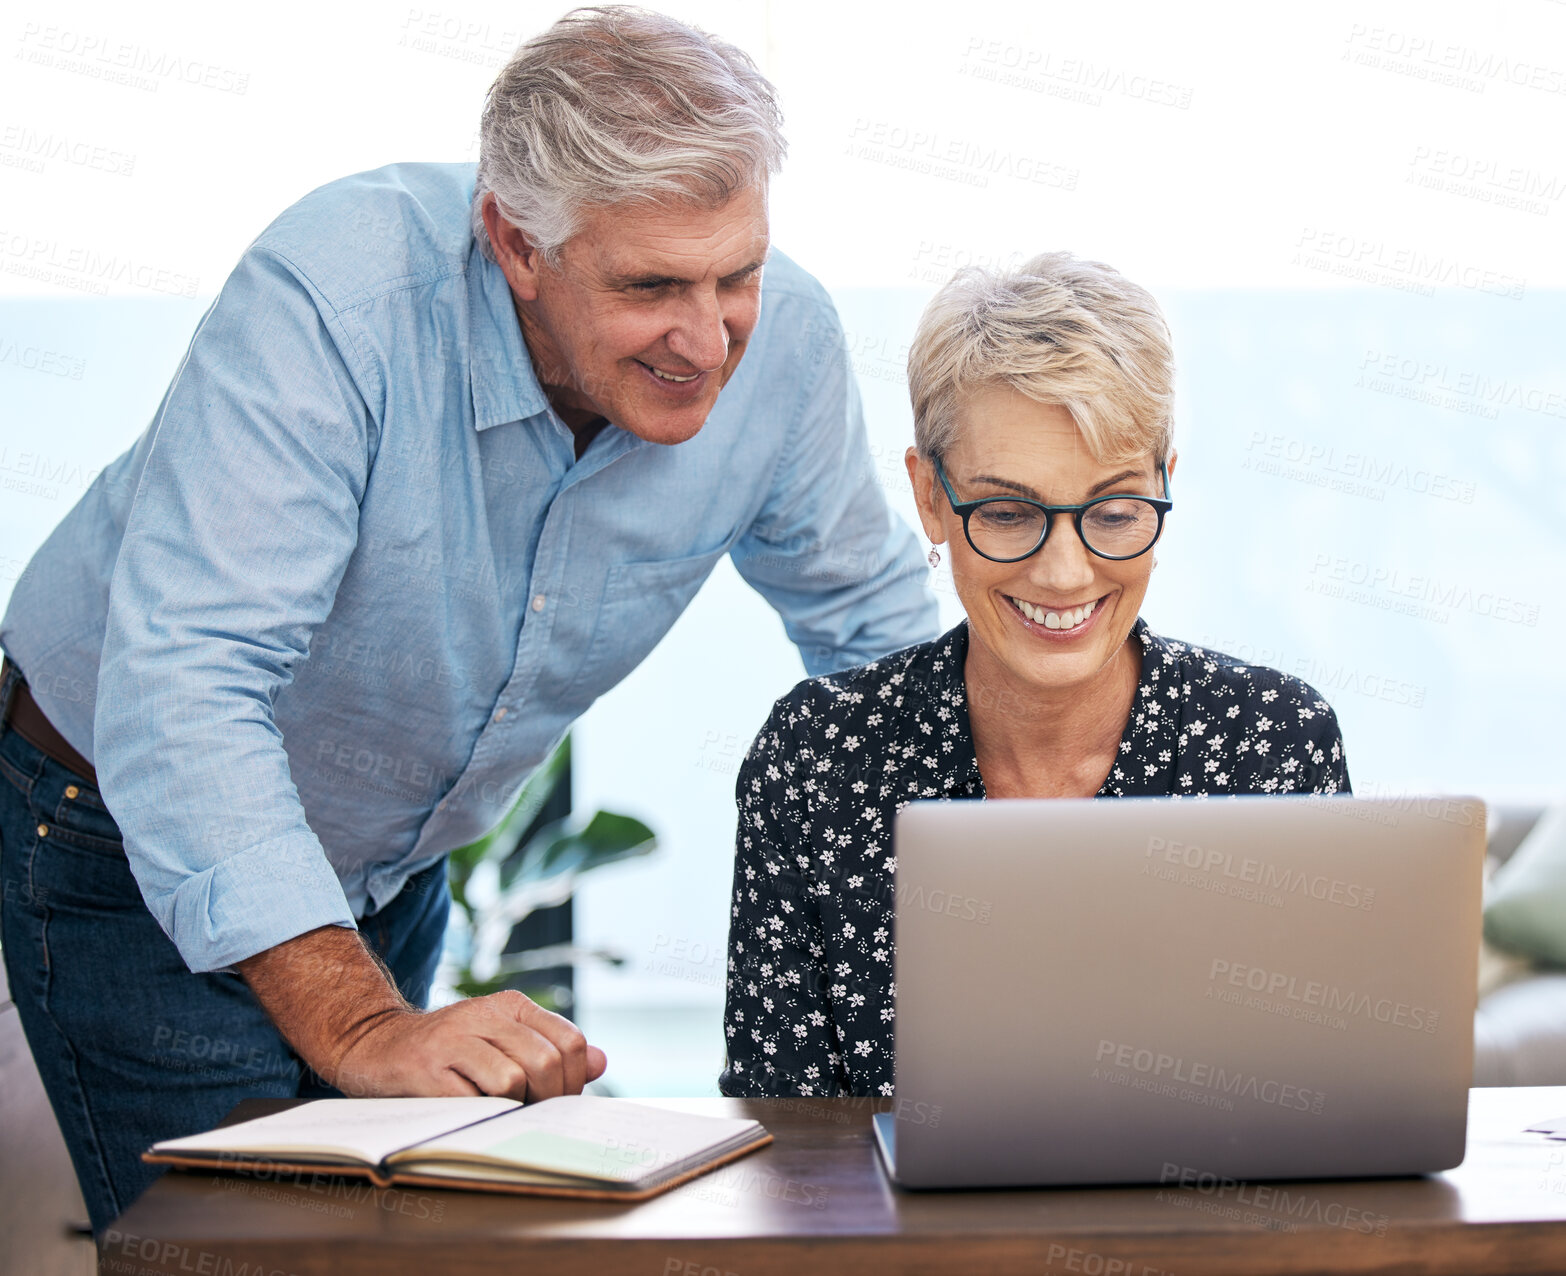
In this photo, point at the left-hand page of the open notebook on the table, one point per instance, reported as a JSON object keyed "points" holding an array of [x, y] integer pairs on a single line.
{"points": [[370, 1130]]}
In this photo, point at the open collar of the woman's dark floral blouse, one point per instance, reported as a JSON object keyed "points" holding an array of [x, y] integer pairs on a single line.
{"points": [[1150, 730]]}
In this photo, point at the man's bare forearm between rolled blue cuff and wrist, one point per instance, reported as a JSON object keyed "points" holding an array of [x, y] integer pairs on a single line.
{"points": [[325, 990]]}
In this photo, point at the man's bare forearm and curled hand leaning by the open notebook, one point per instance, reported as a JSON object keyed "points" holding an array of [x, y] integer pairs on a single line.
{"points": [[342, 1014]]}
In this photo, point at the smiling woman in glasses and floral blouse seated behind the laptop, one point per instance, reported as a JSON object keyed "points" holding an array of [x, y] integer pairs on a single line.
{"points": [[1044, 463]]}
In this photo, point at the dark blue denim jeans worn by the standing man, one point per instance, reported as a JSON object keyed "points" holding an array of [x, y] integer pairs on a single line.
{"points": [[131, 1045]]}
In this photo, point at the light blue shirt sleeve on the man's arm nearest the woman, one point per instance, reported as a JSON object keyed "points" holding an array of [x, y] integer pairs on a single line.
{"points": [[840, 568]]}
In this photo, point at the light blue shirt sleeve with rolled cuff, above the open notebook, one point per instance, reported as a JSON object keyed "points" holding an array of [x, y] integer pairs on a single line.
{"points": [[240, 532]]}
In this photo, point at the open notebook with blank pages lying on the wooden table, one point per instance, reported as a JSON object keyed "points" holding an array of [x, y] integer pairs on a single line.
{"points": [[579, 1145]]}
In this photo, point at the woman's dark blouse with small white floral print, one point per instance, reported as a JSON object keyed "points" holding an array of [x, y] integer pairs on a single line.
{"points": [[810, 943]]}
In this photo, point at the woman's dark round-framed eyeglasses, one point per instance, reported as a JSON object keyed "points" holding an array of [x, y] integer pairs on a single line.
{"points": [[1014, 528]]}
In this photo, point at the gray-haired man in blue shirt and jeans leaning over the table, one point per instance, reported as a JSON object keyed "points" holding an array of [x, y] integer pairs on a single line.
{"points": [[442, 464]]}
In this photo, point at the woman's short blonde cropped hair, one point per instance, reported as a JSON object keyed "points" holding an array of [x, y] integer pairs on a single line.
{"points": [[1061, 331]]}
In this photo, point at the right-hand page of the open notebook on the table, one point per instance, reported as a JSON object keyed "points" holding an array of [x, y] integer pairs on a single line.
{"points": [[591, 1137]]}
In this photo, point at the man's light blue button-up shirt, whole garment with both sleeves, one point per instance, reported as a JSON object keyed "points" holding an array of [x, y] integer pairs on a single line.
{"points": [[353, 585]]}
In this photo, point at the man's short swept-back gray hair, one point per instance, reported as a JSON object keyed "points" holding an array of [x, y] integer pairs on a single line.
{"points": [[621, 106]]}
